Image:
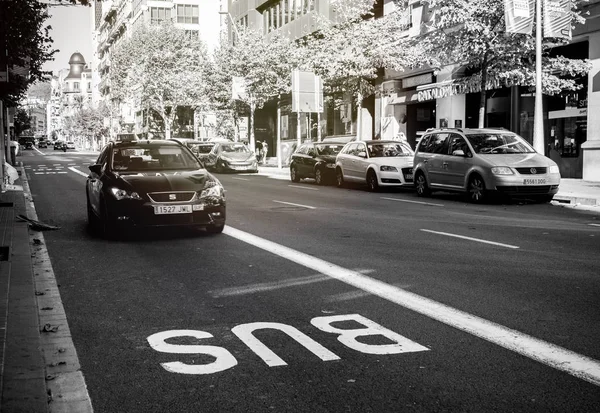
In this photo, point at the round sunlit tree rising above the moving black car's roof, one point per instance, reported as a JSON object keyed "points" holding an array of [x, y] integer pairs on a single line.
{"points": [[161, 68]]}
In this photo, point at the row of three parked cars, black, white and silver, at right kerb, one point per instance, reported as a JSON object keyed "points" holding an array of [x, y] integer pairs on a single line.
{"points": [[477, 162]]}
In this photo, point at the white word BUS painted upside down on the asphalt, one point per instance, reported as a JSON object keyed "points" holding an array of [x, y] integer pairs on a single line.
{"points": [[224, 360]]}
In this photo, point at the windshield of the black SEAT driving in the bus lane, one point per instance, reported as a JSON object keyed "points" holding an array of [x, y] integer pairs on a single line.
{"points": [[153, 157]]}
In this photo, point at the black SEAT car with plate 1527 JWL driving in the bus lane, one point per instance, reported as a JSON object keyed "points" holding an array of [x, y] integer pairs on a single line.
{"points": [[152, 183]]}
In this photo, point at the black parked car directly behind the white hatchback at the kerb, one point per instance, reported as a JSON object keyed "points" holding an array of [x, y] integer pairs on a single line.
{"points": [[315, 160]]}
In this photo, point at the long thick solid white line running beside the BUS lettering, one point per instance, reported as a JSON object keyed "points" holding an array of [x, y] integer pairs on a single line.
{"points": [[554, 356]]}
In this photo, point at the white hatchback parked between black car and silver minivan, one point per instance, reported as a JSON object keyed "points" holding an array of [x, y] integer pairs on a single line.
{"points": [[377, 163]]}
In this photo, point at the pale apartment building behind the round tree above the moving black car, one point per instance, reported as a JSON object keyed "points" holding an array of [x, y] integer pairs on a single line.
{"points": [[114, 20]]}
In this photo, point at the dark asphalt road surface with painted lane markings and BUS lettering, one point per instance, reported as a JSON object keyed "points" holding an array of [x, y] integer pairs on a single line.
{"points": [[319, 299]]}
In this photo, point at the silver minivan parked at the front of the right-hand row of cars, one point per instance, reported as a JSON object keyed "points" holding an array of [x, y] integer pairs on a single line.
{"points": [[477, 161]]}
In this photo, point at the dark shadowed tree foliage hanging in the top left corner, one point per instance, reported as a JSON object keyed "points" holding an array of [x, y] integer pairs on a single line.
{"points": [[28, 46]]}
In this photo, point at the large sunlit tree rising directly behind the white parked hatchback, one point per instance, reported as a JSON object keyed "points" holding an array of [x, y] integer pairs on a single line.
{"points": [[351, 47]]}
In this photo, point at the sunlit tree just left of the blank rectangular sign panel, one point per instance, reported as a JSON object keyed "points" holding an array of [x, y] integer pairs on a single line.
{"points": [[264, 62]]}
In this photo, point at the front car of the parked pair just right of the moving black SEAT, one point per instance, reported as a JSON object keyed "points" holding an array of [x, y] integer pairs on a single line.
{"points": [[231, 157]]}
